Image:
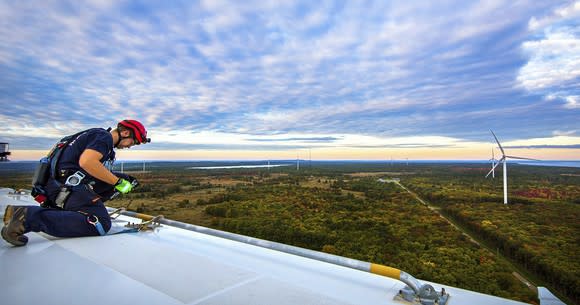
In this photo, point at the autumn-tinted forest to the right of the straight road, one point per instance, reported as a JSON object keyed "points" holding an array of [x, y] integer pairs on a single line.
{"points": [[539, 228]]}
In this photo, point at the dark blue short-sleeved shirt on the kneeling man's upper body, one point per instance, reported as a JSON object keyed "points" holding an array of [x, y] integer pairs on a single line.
{"points": [[97, 139]]}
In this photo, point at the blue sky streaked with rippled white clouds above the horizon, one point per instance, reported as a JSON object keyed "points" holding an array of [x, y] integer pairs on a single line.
{"points": [[281, 79]]}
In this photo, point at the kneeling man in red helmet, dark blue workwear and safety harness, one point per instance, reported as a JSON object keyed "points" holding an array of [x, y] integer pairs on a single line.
{"points": [[78, 186]]}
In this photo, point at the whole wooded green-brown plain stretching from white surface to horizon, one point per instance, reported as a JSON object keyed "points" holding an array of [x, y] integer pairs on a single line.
{"points": [[343, 208]]}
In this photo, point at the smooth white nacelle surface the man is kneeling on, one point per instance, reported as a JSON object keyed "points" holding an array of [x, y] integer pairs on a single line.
{"points": [[175, 266]]}
